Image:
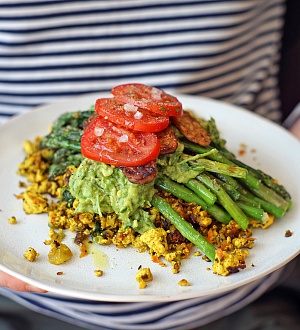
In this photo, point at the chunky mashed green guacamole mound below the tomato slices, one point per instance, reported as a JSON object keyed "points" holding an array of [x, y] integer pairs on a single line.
{"points": [[102, 188]]}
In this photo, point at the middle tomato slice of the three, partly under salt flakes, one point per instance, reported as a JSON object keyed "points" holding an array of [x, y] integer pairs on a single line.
{"points": [[130, 116]]}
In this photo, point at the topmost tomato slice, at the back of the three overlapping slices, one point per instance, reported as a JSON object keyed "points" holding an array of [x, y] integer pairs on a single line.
{"points": [[148, 97]]}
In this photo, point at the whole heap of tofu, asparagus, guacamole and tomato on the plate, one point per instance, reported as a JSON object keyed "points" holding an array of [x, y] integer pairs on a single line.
{"points": [[137, 170]]}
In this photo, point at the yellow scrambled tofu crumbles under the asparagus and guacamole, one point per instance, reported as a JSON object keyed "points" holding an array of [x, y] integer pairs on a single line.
{"points": [[164, 243]]}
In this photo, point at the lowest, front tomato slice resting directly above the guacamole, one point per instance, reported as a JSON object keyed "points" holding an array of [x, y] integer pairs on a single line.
{"points": [[112, 144]]}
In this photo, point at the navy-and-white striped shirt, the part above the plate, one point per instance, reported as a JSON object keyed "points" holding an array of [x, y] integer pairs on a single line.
{"points": [[226, 50]]}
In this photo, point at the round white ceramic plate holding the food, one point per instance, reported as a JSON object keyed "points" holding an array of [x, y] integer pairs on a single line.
{"points": [[268, 146]]}
